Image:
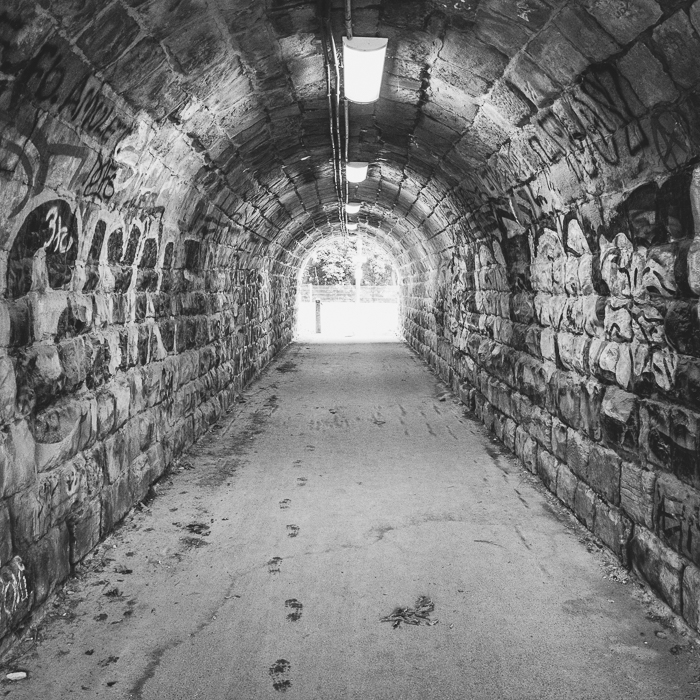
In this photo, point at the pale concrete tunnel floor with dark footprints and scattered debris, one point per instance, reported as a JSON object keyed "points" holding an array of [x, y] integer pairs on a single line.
{"points": [[350, 482]]}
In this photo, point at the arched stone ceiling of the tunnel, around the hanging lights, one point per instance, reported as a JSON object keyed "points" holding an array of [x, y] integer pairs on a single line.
{"points": [[241, 84]]}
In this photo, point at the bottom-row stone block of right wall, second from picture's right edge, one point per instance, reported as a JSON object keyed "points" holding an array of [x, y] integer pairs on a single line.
{"points": [[658, 565]]}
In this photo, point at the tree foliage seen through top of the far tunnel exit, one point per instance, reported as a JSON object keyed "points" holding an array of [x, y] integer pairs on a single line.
{"points": [[334, 263]]}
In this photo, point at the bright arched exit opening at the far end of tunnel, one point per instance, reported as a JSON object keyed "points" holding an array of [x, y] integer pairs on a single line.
{"points": [[348, 291]]}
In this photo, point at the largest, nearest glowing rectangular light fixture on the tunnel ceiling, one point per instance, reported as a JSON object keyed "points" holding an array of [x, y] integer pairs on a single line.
{"points": [[363, 61]]}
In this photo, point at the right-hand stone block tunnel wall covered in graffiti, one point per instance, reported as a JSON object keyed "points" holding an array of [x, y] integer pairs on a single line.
{"points": [[566, 315]]}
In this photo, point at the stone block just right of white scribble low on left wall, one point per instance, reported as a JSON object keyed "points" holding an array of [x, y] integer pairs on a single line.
{"points": [[48, 563]]}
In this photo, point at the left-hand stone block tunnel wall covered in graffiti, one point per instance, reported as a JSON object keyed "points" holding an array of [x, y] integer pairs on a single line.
{"points": [[131, 313]]}
